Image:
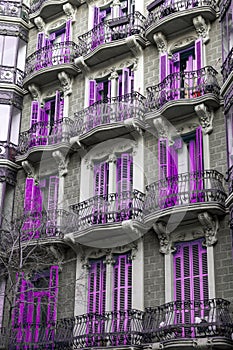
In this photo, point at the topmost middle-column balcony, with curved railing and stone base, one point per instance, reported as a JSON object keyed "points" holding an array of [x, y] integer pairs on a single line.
{"points": [[109, 39]]}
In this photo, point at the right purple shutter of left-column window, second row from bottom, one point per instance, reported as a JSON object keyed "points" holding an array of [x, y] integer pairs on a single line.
{"points": [[52, 205]]}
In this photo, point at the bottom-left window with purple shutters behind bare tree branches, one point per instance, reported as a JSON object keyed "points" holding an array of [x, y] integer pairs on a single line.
{"points": [[36, 303]]}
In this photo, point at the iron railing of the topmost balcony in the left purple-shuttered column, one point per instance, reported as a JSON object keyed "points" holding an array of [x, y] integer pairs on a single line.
{"points": [[51, 55]]}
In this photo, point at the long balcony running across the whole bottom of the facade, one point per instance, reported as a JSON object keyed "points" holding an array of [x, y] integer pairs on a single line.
{"points": [[171, 325]]}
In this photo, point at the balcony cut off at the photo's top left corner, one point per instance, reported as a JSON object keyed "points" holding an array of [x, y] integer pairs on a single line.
{"points": [[14, 9]]}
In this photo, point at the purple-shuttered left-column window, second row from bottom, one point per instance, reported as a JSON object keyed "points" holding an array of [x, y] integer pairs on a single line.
{"points": [[37, 198]]}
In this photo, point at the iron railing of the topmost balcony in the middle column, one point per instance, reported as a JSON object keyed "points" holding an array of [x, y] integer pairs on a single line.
{"points": [[110, 30]]}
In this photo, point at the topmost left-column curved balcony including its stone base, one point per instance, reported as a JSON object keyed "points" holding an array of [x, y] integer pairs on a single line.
{"points": [[49, 61]]}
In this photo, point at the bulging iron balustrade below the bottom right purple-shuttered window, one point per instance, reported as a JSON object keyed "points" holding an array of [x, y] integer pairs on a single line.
{"points": [[188, 319]]}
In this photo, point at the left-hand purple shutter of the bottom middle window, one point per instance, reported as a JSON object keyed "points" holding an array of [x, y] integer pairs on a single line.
{"points": [[97, 287]]}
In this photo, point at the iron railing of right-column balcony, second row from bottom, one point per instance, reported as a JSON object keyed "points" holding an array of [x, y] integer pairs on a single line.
{"points": [[183, 189]]}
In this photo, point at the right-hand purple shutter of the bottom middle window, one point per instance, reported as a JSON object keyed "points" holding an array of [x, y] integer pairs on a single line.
{"points": [[122, 284]]}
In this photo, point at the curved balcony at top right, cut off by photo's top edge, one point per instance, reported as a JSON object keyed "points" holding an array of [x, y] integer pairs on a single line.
{"points": [[173, 16]]}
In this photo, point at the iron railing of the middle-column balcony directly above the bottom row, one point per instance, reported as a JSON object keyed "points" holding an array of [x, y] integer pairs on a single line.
{"points": [[114, 207]]}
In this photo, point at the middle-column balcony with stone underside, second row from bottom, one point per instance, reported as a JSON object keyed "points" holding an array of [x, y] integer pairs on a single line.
{"points": [[100, 219]]}
